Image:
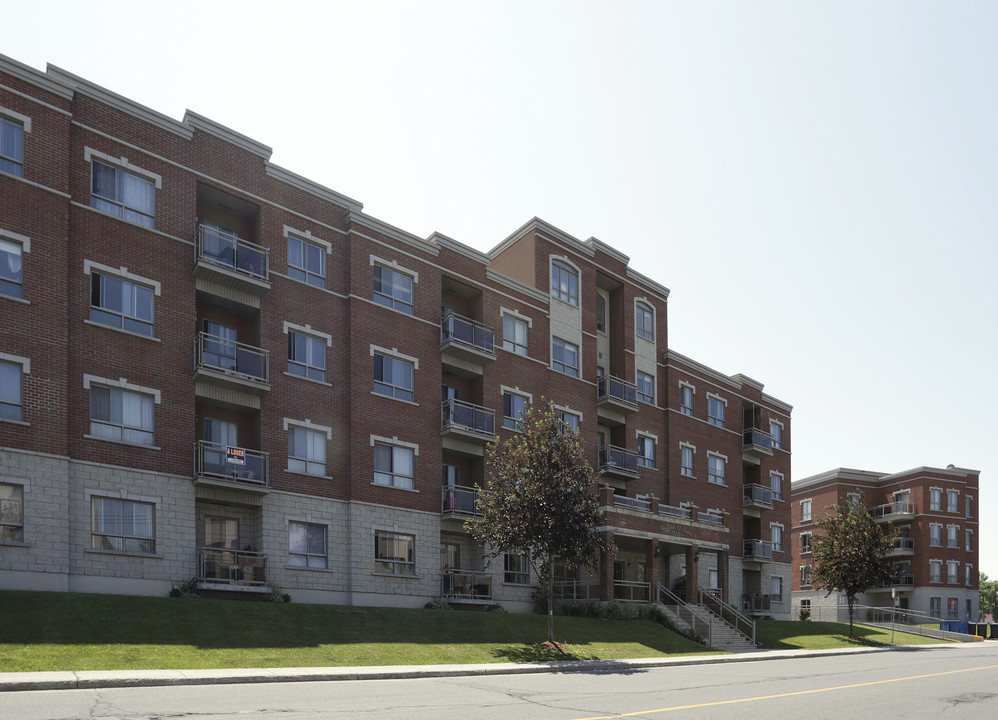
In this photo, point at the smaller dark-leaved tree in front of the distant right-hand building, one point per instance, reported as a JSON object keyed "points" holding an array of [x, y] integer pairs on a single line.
{"points": [[850, 552]]}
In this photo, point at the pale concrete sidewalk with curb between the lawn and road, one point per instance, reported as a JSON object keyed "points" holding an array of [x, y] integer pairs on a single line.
{"points": [[90, 679]]}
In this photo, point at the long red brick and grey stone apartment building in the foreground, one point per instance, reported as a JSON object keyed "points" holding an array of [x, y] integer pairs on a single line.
{"points": [[212, 367]]}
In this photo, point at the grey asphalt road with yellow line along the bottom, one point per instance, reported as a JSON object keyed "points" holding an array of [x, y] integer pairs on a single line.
{"points": [[953, 681]]}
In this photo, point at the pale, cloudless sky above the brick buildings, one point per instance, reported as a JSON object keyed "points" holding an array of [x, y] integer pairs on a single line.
{"points": [[817, 183]]}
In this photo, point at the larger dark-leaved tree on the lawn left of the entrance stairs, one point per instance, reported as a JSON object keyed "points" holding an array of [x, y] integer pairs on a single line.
{"points": [[541, 500]]}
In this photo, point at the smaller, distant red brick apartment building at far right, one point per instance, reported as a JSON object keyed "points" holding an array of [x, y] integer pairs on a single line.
{"points": [[935, 512]]}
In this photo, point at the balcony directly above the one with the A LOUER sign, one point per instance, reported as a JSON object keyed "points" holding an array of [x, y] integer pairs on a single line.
{"points": [[225, 367]]}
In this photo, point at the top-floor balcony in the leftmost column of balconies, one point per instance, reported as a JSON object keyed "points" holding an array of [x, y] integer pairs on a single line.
{"points": [[229, 267]]}
